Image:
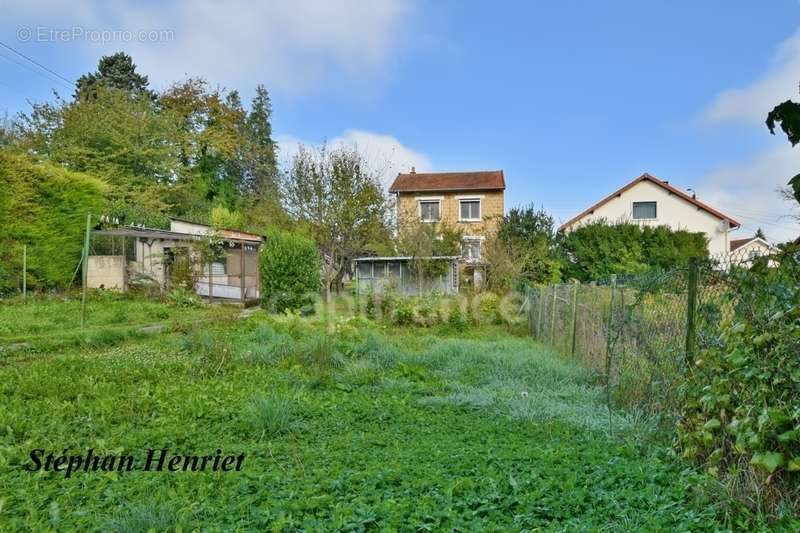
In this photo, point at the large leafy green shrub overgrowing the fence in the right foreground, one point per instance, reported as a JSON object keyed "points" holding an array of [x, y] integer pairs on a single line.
{"points": [[742, 395]]}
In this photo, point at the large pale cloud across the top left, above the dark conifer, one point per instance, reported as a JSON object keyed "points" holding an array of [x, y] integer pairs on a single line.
{"points": [[290, 46]]}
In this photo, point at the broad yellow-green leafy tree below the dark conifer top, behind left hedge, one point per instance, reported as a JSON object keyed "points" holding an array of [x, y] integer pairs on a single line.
{"points": [[127, 141]]}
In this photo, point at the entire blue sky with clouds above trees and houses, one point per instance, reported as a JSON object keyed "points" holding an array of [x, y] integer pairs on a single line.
{"points": [[572, 99]]}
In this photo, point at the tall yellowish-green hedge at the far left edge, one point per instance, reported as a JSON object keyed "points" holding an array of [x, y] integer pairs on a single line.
{"points": [[45, 207]]}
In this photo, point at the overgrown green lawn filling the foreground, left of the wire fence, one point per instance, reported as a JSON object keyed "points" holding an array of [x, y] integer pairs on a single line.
{"points": [[352, 429]]}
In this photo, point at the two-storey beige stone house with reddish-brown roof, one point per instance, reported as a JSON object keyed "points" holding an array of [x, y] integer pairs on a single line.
{"points": [[472, 202]]}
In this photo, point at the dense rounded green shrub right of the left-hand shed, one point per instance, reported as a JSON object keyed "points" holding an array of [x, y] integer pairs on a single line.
{"points": [[290, 272]]}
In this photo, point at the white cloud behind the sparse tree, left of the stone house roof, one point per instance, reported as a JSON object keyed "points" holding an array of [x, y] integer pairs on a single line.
{"points": [[386, 155]]}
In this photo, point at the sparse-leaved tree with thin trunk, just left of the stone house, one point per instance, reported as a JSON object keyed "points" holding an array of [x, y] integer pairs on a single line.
{"points": [[335, 196]]}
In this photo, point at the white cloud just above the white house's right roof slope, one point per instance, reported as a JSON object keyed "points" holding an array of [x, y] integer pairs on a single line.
{"points": [[748, 191]]}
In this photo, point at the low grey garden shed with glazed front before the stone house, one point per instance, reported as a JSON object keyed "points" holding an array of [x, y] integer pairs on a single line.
{"points": [[381, 274]]}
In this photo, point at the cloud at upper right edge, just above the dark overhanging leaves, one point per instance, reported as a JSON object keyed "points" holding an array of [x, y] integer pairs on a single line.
{"points": [[750, 104]]}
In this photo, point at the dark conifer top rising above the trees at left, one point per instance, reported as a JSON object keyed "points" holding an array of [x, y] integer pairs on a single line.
{"points": [[116, 71]]}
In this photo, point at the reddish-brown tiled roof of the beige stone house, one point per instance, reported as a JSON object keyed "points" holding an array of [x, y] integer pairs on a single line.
{"points": [[449, 181]]}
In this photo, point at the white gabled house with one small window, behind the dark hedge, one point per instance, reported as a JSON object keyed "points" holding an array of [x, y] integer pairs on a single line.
{"points": [[650, 201]]}
